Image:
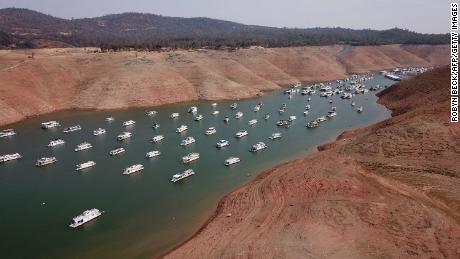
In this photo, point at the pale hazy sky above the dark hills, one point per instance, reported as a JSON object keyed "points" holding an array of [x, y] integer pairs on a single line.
{"points": [[429, 16]]}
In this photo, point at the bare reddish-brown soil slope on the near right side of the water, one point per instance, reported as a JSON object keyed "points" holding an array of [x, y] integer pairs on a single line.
{"points": [[391, 190]]}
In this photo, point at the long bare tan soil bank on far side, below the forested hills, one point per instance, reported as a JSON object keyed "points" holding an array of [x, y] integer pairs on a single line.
{"points": [[59, 79]]}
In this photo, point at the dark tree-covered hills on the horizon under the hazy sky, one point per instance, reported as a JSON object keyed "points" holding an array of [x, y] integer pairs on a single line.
{"points": [[26, 28]]}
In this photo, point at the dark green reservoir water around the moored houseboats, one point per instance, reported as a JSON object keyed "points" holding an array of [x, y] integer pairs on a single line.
{"points": [[145, 213]]}
